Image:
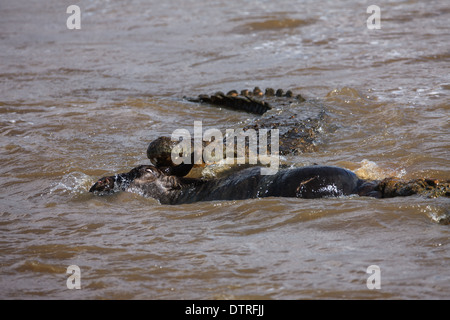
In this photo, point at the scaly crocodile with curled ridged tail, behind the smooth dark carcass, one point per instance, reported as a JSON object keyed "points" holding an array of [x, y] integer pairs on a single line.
{"points": [[278, 110]]}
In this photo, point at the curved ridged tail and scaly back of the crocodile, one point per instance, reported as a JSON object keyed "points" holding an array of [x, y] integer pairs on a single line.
{"points": [[298, 133]]}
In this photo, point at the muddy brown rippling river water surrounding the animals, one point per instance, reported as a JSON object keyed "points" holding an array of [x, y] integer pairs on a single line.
{"points": [[79, 104]]}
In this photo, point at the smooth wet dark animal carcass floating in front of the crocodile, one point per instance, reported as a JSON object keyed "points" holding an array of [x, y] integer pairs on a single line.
{"points": [[306, 182]]}
